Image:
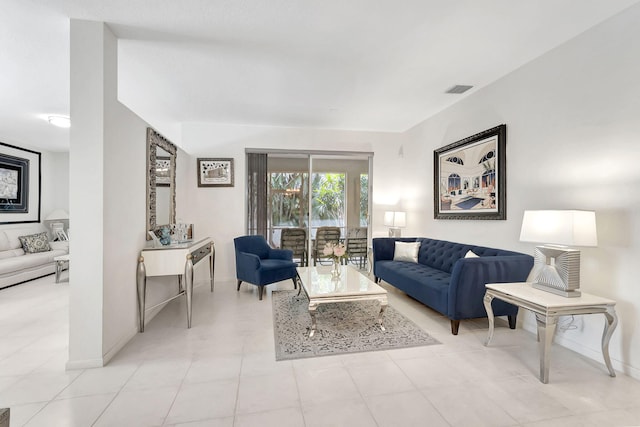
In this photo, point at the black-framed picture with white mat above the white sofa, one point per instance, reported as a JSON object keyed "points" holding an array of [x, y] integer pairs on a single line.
{"points": [[19, 185]]}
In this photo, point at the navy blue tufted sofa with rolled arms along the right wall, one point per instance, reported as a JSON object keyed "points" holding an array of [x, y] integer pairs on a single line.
{"points": [[446, 281]]}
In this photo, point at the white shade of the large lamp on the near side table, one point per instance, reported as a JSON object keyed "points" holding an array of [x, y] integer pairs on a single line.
{"points": [[561, 227]]}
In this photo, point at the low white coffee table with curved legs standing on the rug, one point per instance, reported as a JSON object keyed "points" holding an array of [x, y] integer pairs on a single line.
{"points": [[321, 288]]}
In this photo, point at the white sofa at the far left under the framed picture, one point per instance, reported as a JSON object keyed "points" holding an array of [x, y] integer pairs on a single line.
{"points": [[16, 266]]}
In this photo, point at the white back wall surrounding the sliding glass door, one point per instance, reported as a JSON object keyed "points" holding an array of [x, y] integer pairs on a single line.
{"points": [[219, 212]]}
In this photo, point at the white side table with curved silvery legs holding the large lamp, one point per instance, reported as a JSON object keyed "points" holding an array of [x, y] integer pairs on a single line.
{"points": [[548, 307]]}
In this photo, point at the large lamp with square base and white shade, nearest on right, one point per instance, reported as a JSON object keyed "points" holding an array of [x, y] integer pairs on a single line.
{"points": [[556, 265]]}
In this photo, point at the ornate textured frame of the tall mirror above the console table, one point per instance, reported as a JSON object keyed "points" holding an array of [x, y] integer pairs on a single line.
{"points": [[155, 140]]}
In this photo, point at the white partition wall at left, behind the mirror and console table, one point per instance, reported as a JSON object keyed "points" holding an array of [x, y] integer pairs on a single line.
{"points": [[108, 203]]}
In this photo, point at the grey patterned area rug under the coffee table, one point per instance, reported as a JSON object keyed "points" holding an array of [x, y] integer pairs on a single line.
{"points": [[346, 327]]}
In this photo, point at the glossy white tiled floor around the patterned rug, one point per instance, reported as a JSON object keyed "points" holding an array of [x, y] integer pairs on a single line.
{"points": [[222, 372]]}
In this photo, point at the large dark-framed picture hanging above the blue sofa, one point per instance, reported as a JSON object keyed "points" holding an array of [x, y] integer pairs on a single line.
{"points": [[470, 180]]}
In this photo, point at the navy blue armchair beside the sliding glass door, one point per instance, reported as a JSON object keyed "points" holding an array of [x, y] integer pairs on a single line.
{"points": [[261, 265]]}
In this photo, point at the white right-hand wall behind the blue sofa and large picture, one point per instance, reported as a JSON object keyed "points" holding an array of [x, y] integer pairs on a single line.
{"points": [[572, 143]]}
